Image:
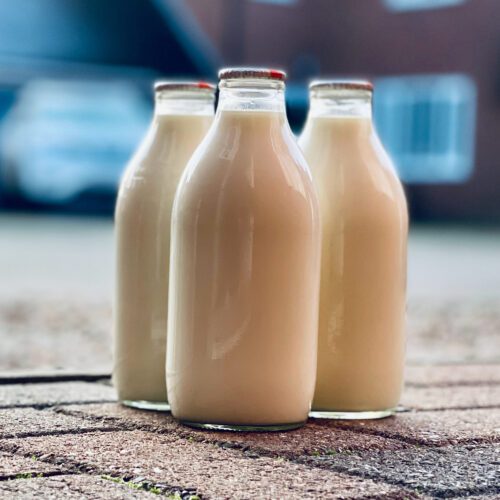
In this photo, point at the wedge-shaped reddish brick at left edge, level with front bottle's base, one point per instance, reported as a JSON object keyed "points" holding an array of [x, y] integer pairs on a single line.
{"points": [[23, 422]]}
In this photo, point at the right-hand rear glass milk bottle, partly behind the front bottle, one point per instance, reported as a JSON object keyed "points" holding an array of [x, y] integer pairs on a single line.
{"points": [[361, 339]]}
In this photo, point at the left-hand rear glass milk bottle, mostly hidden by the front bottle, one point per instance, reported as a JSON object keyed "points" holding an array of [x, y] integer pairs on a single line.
{"points": [[183, 114]]}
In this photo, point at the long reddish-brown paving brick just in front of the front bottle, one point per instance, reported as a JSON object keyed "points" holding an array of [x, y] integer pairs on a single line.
{"points": [[209, 470]]}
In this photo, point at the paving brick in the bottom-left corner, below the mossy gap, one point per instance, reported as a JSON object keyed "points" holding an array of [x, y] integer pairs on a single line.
{"points": [[73, 486]]}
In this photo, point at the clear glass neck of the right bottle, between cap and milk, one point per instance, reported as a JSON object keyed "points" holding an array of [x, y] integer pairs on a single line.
{"points": [[341, 104]]}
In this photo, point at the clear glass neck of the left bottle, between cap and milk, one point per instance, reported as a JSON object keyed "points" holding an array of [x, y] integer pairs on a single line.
{"points": [[184, 103]]}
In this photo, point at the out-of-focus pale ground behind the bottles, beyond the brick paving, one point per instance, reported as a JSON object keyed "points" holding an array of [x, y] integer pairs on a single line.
{"points": [[57, 278]]}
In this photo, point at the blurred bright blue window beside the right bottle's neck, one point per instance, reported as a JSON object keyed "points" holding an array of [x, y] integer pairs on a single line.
{"points": [[427, 123]]}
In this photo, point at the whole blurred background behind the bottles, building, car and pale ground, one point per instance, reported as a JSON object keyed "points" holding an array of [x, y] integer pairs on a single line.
{"points": [[75, 99]]}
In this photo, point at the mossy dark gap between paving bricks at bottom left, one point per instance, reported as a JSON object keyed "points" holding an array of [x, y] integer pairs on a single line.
{"points": [[79, 468]]}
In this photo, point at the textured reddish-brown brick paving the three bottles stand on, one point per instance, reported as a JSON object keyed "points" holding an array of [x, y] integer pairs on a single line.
{"points": [[70, 439]]}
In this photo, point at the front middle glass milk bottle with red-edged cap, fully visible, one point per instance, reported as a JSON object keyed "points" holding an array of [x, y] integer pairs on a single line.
{"points": [[242, 331]]}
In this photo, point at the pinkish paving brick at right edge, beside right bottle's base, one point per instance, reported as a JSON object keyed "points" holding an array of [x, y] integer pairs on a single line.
{"points": [[451, 397]]}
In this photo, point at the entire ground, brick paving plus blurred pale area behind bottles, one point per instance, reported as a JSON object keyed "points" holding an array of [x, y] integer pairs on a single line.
{"points": [[62, 434]]}
